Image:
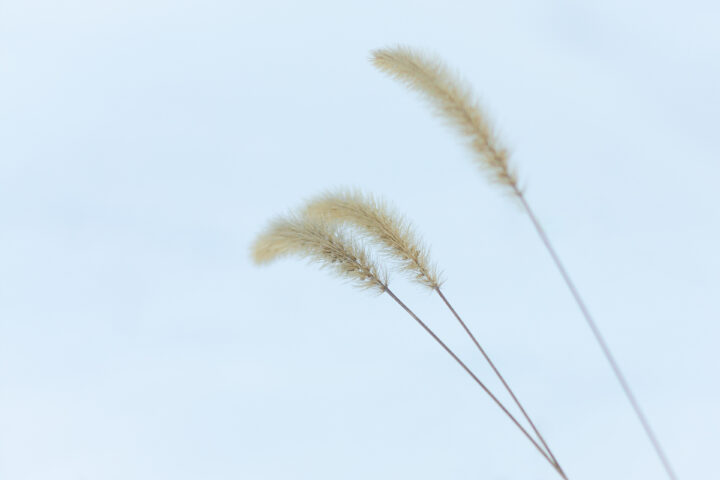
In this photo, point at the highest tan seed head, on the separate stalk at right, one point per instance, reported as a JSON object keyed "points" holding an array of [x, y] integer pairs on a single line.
{"points": [[453, 101]]}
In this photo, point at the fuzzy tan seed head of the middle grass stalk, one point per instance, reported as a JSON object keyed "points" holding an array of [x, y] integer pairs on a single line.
{"points": [[390, 231]]}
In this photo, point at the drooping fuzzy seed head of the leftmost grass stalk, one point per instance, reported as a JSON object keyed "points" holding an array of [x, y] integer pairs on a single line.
{"points": [[323, 243]]}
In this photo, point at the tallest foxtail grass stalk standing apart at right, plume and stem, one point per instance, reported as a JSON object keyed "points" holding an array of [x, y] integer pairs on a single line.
{"points": [[453, 101]]}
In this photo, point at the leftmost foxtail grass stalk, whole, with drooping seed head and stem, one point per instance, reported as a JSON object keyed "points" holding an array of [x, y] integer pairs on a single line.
{"points": [[326, 244]]}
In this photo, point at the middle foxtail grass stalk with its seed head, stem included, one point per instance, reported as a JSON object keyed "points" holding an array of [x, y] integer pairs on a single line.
{"points": [[395, 237]]}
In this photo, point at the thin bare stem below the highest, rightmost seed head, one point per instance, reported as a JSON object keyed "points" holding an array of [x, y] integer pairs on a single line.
{"points": [[599, 337]]}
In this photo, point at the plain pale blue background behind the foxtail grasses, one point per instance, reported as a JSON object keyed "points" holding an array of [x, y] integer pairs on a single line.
{"points": [[144, 143]]}
